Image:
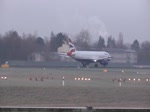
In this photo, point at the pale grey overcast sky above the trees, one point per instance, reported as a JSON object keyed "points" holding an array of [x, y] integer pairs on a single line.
{"points": [[100, 17]]}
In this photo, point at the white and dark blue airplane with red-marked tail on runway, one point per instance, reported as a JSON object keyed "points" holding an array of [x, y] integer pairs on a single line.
{"points": [[87, 57]]}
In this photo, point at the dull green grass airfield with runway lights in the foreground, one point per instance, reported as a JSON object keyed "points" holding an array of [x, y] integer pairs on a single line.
{"points": [[44, 87]]}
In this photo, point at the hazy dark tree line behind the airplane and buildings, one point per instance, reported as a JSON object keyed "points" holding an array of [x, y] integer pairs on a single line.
{"points": [[16, 47]]}
